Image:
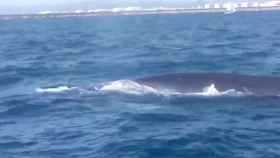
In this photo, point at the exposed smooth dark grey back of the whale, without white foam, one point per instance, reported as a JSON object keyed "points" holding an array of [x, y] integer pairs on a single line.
{"points": [[196, 82]]}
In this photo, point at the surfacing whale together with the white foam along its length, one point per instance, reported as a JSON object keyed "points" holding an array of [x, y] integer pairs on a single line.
{"points": [[186, 84]]}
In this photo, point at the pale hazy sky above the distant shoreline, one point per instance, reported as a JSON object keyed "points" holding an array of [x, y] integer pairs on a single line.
{"points": [[31, 6]]}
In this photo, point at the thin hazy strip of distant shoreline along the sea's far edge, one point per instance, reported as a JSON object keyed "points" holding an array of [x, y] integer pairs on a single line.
{"points": [[123, 13]]}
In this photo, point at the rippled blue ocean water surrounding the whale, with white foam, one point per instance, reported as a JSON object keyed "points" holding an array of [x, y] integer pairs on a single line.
{"points": [[67, 90]]}
